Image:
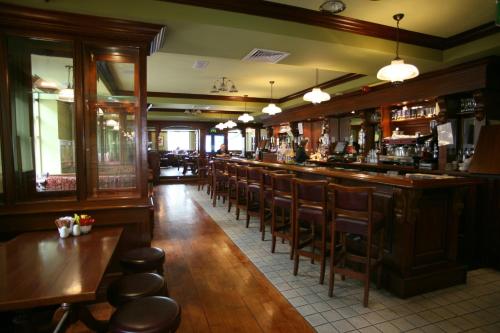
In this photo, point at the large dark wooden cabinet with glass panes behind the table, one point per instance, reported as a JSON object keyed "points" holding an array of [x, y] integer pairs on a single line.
{"points": [[73, 120]]}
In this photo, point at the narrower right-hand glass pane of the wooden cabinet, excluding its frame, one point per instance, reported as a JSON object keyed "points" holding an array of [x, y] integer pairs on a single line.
{"points": [[116, 125]]}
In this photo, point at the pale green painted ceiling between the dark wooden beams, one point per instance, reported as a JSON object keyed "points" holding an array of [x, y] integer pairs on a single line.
{"points": [[223, 38]]}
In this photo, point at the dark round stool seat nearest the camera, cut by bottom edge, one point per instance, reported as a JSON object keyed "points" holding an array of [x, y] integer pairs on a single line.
{"points": [[154, 314]]}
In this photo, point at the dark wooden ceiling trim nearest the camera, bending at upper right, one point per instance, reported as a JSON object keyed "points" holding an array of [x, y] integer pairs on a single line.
{"points": [[342, 23]]}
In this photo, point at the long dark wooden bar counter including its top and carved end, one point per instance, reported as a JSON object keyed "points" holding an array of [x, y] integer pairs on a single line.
{"points": [[422, 214]]}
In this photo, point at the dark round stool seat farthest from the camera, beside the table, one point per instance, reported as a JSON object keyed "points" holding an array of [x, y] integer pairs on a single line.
{"points": [[144, 259]]}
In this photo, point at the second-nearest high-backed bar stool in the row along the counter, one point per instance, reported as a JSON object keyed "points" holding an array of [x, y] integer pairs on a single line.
{"points": [[311, 219]]}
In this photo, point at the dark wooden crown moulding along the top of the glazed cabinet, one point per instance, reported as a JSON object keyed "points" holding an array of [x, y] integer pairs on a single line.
{"points": [[70, 24]]}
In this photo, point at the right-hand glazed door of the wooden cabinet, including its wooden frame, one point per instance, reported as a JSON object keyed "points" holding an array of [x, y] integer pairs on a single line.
{"points": [[113, 113]]}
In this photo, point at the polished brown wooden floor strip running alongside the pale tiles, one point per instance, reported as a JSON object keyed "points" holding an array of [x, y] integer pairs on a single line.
{"points": [[219, 289]]}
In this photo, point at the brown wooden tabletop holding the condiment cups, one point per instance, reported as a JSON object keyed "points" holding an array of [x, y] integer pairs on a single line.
{"points": [[39, 268]]}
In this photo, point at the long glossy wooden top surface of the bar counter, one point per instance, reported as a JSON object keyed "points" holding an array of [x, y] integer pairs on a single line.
{"points": [[415, 180]]}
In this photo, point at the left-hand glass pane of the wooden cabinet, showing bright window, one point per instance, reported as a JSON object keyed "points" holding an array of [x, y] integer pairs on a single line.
{"points": [[43, 115]]}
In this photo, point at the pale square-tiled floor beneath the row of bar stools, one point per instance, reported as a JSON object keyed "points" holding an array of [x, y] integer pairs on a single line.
{"points": [[474, 307]]}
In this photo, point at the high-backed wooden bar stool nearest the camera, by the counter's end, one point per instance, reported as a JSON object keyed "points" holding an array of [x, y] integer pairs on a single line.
{"points": [[352, 213]]}
